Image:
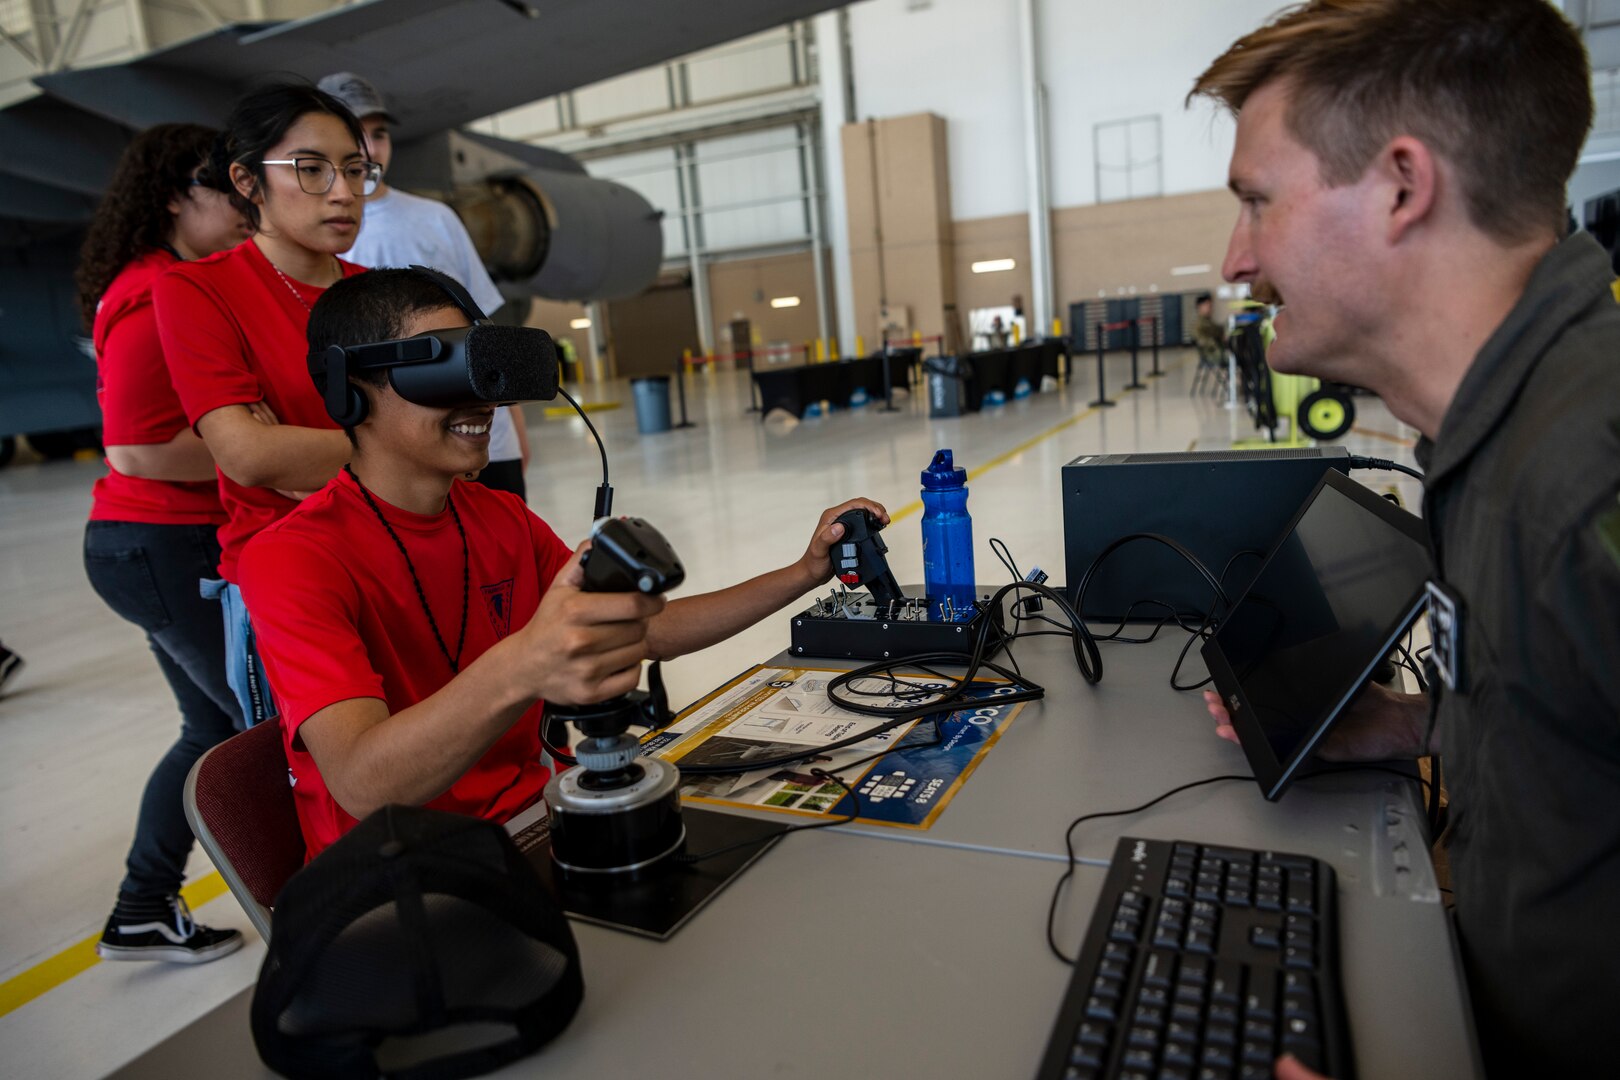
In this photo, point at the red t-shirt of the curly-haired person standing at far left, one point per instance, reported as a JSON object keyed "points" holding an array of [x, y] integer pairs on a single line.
{"points": [[140, 406]]}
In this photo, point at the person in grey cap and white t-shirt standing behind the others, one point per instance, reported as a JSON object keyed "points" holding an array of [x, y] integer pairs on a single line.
{"points": [[406, 229]]}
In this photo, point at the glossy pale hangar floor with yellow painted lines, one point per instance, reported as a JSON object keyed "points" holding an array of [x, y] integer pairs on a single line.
{"points": [[90, 715]]}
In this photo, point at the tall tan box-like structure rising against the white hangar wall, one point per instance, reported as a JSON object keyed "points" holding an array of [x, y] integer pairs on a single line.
{"points": [[898, 187]]}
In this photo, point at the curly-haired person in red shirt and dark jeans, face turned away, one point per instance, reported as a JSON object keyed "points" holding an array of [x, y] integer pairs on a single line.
{"points": [[155, 516]]}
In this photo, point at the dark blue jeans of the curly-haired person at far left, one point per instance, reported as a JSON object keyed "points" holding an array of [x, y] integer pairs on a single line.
{"points": [[148, 574]]}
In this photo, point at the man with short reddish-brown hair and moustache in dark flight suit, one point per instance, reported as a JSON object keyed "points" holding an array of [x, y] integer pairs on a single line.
{"points": [[1428, 145]]}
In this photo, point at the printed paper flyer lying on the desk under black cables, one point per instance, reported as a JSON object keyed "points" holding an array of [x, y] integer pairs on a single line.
{"points": [[774, 712]]}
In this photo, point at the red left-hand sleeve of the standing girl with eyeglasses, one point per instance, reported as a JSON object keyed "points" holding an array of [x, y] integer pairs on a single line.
{"points": [[203, 346]]}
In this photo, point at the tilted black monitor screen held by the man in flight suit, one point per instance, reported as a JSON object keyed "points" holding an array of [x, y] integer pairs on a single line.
{"points": [[1331, 602]]}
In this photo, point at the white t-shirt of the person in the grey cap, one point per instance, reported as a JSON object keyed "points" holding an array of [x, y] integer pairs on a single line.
{"points": [[401, 229]]}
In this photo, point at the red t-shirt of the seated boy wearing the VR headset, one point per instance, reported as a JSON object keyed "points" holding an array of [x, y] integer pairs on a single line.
{"points": [[338, 618]]}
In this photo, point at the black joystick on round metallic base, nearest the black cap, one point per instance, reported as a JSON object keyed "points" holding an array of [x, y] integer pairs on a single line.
{"points": [[618, 812]]}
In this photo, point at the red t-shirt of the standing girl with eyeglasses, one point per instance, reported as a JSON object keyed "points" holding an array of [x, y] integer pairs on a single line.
{"points": [[234, 333]]}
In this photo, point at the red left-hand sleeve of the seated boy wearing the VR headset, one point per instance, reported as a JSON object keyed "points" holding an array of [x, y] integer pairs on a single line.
{"points": [[305, 611]]}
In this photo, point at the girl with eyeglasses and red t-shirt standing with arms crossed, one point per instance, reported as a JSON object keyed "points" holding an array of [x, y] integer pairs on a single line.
{"points": [[234, 328]]}
